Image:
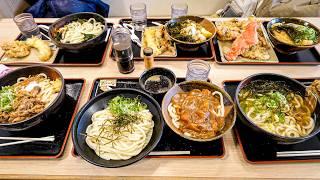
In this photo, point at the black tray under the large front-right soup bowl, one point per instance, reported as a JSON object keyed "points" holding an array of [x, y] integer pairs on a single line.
{"points": [[258, 150]]}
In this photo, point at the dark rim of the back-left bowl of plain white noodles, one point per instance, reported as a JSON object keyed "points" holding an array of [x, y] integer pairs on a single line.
{"points": [[51, 28]]}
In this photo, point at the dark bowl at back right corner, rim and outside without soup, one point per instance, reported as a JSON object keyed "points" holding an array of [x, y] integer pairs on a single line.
{"points": [[289, 48]]}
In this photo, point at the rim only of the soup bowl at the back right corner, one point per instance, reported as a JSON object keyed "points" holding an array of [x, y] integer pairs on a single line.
{"points": [[271, 22]]}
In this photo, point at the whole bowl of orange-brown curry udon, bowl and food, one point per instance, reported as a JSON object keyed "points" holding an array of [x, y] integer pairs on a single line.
{"points": [[198, 110]]}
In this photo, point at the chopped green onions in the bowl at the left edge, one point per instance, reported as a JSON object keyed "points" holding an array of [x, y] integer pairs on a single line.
{"points": [[6, 98]]}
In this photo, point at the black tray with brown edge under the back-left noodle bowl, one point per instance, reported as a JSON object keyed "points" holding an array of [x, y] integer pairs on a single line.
{"points": [[91, 58]]}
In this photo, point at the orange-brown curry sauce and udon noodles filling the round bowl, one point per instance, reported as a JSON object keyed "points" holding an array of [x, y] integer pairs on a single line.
{"points": [[198, 113]]}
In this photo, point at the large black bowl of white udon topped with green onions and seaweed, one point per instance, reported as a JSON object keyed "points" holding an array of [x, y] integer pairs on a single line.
{"points": [[101, 136]]}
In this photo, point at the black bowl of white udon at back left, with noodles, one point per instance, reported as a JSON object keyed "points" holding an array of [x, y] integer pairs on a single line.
{"points": [[65, 33]]}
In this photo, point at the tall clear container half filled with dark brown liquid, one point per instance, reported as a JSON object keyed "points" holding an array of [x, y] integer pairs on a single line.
{"points": [[122, 49]]}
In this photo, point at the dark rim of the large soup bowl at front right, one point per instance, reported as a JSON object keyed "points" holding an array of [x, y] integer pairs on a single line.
{"points": [[239, 88]]}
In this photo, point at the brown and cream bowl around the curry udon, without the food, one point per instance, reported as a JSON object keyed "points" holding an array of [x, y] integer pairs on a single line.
{"points": [[186, 86]]}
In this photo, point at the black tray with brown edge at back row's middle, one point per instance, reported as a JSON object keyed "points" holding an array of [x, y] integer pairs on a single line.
{"points": [[206, 51]]}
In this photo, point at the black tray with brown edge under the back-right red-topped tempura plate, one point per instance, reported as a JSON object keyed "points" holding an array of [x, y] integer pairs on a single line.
{"points": [[307, 57]]}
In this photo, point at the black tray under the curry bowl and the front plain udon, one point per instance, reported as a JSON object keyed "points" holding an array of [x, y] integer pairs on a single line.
{"points": [[171, 145]]}
